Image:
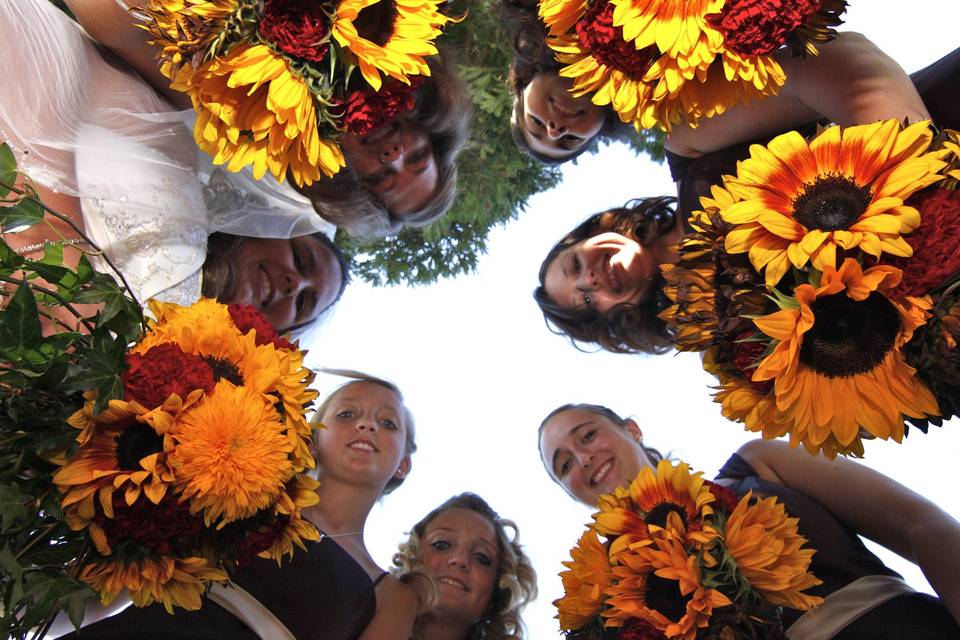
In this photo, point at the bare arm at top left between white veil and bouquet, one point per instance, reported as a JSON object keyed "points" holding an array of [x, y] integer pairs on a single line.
{"points": [[114, 27]]}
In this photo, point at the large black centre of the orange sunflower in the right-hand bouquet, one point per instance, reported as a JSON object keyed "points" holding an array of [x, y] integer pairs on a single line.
{"points": [[849, 337]]}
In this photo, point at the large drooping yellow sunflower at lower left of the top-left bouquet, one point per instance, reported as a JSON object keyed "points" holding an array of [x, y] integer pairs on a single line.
{"points": [[252, 109]]}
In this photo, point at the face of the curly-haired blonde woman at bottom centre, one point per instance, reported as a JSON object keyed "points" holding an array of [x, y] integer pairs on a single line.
{"points": [[460, 550]]}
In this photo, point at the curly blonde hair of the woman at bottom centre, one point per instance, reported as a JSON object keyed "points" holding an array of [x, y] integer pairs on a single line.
{"points": [[516, 579]]}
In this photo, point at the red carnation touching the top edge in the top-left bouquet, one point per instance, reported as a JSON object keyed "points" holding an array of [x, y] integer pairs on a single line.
{"points": [[297, 27]]}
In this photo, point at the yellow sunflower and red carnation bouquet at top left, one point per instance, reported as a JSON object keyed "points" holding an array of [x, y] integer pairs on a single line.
{"points": [[272, 81]]}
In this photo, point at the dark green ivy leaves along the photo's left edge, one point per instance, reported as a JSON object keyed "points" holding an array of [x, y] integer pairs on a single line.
{"points": [[42, 380]]}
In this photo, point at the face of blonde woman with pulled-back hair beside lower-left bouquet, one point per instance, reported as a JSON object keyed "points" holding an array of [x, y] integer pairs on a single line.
{"points": [[364, 442]]}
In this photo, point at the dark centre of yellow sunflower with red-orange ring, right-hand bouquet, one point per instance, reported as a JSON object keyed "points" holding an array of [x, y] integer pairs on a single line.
{"points": [[832, 202]]}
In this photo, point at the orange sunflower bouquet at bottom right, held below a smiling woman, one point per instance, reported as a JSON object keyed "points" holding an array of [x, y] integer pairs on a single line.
{"points": [[677, 556]]}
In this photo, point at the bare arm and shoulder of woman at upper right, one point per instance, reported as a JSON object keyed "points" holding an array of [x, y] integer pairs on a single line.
{"points": [[851, 82]]}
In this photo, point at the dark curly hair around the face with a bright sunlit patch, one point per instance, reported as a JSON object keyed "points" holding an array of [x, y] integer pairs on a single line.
{"points": [[626, 328]]}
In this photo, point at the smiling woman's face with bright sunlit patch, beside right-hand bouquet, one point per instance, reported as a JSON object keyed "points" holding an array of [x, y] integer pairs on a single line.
{"points": [[601, 272]]}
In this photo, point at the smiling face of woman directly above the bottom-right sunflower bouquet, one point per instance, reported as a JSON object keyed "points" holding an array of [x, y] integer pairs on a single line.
{"points": [[589, 455]]}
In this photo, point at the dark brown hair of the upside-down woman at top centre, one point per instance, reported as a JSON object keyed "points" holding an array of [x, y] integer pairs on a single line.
{"points": [[532, 56]]}
